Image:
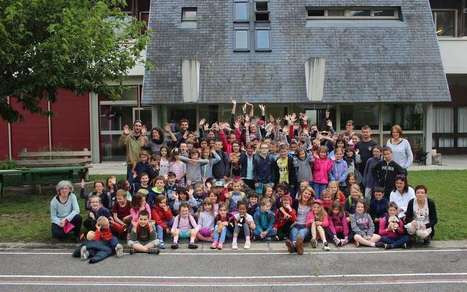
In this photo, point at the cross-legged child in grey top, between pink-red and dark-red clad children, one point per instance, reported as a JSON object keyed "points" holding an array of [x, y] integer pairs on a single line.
{"points": [[362, 226]]}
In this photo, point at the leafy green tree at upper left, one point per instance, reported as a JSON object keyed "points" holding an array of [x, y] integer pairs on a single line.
{"points": [[78, 45]]}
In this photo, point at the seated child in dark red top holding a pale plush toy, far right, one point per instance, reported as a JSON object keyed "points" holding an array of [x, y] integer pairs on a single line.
{"points": [[391, 230]]}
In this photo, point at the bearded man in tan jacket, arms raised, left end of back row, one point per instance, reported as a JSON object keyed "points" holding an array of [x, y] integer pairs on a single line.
{"points": [[133, 141]]}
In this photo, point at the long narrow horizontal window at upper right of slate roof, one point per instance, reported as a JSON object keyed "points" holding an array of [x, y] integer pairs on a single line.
{"points": [[353, 13]]}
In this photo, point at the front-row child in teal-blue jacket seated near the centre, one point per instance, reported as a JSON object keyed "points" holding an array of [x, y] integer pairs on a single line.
{"points": [[264, 221]]}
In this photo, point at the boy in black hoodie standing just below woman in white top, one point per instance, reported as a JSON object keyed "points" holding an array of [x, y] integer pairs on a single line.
{"points": [[386, 171]]}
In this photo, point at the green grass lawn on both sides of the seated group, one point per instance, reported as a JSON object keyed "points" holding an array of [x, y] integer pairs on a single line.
{"points": [[25, 217]]}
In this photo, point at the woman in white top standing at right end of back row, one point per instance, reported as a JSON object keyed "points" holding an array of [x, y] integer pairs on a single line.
{"points": [[401, 150]]}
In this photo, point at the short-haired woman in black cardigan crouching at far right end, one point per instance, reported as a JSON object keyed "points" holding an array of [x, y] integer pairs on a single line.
{"points": [[421, 215]]}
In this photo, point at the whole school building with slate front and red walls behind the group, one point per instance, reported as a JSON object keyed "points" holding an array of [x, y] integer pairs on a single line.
{"points": [[377, 62]]}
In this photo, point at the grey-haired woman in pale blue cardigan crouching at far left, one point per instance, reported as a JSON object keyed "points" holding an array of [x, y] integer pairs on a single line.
{"points": [[64, 212]]}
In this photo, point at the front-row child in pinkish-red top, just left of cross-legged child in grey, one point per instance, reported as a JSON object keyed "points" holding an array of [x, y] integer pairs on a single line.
{"points": [[338, 229]]}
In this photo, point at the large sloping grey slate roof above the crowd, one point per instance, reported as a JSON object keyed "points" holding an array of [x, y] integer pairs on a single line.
{"points": [[366, 61]]}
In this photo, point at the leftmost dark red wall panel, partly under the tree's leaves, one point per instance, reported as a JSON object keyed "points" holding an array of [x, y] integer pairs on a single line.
{"points": [[31, 132]]}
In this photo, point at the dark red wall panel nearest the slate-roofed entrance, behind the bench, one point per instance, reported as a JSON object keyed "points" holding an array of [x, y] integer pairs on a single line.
{"points": [[70, 121]]}
